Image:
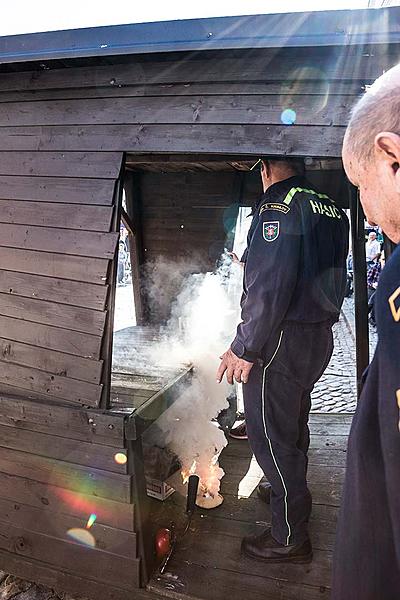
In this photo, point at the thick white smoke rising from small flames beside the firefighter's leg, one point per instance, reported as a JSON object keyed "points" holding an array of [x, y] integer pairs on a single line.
{"points": [[202, 325]]}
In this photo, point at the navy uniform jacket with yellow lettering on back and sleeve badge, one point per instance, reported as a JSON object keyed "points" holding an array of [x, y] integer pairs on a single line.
{"points": [[295, 264]]}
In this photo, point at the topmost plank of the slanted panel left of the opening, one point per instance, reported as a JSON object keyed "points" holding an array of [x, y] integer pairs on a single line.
{"points": [[105, 165]]}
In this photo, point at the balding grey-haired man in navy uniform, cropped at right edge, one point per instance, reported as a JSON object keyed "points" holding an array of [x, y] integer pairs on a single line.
{"points": [[367, 556]]}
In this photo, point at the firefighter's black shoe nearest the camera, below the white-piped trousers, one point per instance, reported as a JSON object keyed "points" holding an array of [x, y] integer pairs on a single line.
{"points": [[265, 548]]}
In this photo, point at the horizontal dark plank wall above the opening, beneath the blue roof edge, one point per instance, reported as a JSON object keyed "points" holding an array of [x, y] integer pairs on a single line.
{"points": [[217, 102]]}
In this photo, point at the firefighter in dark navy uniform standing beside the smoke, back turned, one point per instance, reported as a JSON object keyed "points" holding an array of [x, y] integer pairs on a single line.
{"points": [[294, 284]]}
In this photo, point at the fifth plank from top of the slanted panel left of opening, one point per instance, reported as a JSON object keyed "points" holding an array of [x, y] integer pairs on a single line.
{"points": [[76, 268]]}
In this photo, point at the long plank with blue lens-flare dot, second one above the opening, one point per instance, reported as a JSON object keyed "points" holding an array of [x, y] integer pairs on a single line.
{"points": [[266, 110]]}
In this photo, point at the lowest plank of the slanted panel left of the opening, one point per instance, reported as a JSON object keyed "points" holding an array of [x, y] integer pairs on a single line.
{"points": [[64, 388]]}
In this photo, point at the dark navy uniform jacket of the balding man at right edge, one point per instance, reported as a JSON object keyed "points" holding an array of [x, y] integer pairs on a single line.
{"points": [[367, 555]]}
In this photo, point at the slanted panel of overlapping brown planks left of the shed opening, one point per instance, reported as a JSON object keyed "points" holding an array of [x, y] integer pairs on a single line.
{"points": [[56, 244]]}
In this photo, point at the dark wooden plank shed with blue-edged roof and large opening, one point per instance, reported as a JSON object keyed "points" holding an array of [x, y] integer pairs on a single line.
{"points": [[175, 114]]}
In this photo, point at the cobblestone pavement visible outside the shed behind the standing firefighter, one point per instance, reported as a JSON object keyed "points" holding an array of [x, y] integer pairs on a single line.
{"points": [[336, 391]]}
